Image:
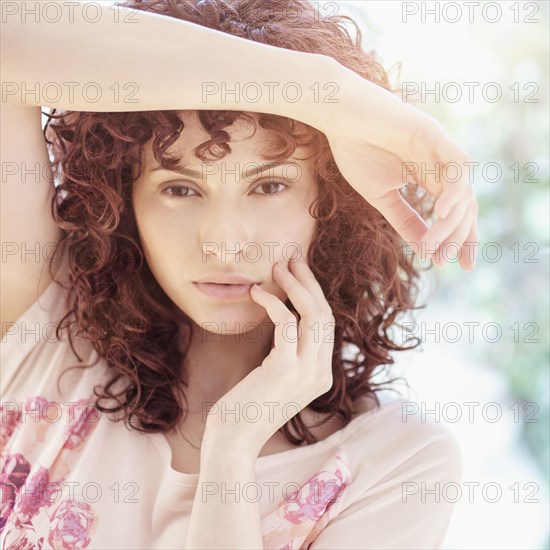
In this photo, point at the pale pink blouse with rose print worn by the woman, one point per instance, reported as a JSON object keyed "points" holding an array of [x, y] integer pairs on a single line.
{"points": [[72, 478]]}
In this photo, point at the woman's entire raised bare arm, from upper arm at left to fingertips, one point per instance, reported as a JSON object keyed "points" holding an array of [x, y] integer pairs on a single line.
{"points": [[100, 57]]}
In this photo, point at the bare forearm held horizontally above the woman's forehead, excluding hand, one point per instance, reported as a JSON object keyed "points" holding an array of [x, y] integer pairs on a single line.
{"points": [[175, 64]]}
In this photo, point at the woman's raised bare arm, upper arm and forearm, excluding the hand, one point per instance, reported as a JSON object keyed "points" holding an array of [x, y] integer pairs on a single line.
{"points": [[102, 58]]}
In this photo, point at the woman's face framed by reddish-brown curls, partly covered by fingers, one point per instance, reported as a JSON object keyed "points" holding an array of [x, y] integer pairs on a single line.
{"points": [[223, 219]]}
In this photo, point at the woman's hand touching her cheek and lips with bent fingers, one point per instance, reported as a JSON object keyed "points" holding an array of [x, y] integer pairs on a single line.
{"points": [[297, 370]]}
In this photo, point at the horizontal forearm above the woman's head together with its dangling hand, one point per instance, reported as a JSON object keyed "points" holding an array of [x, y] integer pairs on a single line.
{"points": [[132, 60]]}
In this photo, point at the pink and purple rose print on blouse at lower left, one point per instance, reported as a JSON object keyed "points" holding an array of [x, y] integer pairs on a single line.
{"points": [[30, 491]]}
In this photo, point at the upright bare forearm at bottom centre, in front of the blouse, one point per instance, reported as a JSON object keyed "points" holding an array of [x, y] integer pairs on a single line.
{"points": [[222, 516]]}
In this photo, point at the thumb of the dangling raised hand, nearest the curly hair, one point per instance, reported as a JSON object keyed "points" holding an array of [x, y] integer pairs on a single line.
{"points": [[401, 216]]}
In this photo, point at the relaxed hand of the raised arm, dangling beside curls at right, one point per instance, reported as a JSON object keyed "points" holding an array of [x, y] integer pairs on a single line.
{"points": [[372, 133]]}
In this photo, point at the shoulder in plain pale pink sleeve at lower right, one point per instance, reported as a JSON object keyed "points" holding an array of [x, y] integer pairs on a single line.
{"points": [[405, 470]]}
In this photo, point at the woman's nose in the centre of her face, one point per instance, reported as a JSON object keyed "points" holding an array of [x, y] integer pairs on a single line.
{"points": [[225, 230]]}
